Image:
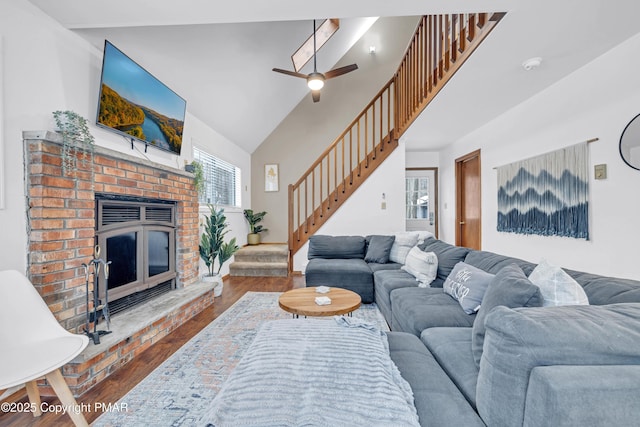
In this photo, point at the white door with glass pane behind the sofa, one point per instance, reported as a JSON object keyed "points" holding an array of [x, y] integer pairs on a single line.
{"points": [[422, 199]]}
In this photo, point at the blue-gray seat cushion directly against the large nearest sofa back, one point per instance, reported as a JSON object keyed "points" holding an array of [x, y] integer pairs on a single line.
{"points": [[451, 347]]}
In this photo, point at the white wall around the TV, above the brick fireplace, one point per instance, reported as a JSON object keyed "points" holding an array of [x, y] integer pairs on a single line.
{"points": [[48, 68]]}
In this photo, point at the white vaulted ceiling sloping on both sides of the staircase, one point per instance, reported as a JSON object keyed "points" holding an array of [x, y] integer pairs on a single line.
{"points": [[219, 56]]}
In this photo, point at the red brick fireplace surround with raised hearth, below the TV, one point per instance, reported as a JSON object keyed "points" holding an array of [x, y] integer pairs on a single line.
{"points": [[61, 221]]}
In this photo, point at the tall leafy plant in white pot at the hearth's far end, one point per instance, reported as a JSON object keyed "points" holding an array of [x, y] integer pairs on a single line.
{"points": [[212, 246]]}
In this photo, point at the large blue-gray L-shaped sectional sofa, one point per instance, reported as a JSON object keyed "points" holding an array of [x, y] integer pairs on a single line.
{"points": [[513, 363]]}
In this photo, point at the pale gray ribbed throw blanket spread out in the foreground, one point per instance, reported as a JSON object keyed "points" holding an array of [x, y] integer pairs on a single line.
{"points": [[315, 372]]}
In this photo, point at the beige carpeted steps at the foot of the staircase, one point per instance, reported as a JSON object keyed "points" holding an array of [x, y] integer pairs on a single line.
{"points": [[261, 260]]}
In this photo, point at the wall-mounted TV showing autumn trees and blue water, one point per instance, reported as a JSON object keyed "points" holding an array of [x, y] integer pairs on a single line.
{"points": [[137, 105]]}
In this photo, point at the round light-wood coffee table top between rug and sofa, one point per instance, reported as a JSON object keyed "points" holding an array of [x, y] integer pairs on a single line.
{"points": [[301, 302]]}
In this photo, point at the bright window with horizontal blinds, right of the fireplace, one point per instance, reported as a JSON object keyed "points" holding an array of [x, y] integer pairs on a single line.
{"points": [[223, 183]]}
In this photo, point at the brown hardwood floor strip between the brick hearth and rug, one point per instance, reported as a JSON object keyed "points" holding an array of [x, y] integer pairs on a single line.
{"points": [[118, 384]]}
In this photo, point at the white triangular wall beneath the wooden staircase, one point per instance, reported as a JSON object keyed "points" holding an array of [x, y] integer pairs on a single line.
{"points": [[362, 213]]}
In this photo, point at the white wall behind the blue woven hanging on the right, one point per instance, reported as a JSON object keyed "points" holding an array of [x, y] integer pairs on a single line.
{"points": [[595, 101]]}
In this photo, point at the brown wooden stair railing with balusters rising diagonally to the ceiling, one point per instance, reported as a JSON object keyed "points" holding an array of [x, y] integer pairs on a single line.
{"points": [[440, 45]]}
